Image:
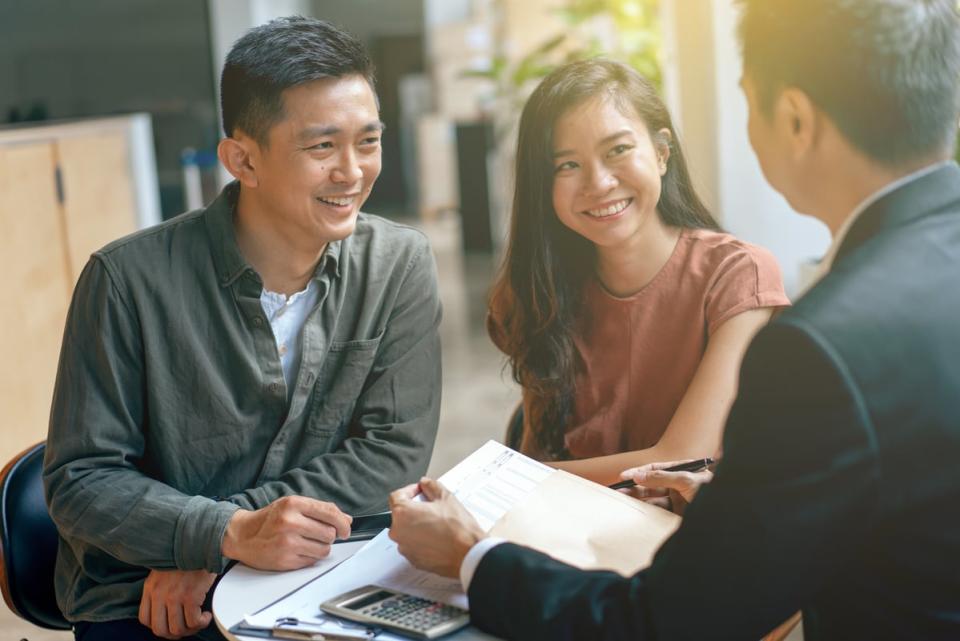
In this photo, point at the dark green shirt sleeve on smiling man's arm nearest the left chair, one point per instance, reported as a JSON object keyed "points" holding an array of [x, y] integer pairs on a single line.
{"points": [[97, 492]]}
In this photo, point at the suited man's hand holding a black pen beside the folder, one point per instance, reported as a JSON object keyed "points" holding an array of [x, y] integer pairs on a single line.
{"points": [[670, 485]]}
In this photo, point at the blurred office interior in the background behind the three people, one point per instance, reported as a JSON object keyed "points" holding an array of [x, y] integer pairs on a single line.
{"points": [[109, 123]]}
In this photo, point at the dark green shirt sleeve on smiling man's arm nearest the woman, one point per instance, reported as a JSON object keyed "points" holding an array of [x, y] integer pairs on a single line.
{"points": [[396, 416]]}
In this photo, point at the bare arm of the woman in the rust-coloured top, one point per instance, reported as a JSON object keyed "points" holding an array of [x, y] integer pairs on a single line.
{"points": [[697, 426]]}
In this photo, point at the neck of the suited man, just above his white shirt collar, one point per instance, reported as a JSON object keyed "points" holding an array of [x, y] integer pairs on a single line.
{"points": [[853, 181]]}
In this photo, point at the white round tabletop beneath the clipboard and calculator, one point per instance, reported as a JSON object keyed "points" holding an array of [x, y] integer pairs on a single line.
{"points": [[243, 591]]}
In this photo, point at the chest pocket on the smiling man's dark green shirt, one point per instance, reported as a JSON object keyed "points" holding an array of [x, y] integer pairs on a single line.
{"points": [[340, 383]]}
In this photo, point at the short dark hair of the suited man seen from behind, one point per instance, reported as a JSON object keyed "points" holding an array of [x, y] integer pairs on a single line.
{"points": [[887, 72]]}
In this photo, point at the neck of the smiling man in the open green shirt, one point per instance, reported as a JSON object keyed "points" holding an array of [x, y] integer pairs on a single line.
{"points": [[285, 263]]}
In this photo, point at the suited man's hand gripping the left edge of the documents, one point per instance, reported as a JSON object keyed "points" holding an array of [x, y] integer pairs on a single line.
{"points": [[434, 534]]}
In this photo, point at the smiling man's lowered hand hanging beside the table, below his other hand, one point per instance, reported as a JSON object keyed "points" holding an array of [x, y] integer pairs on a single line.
{"points": [[171, 602]]}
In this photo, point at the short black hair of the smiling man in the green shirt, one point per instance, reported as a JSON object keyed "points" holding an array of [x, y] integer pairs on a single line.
{"points": [[280, 54]]}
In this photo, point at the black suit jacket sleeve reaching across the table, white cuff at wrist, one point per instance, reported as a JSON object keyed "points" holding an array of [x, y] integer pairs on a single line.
{"points": [[792, 497]]}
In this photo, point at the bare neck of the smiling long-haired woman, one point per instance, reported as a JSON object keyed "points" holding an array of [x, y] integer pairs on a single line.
{"points": [[626, 269]]}
